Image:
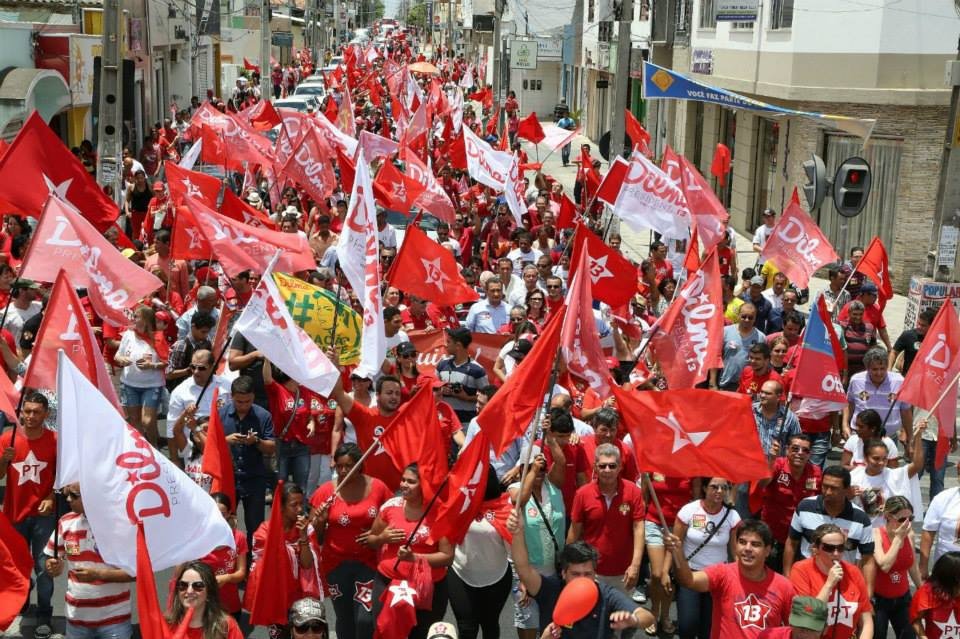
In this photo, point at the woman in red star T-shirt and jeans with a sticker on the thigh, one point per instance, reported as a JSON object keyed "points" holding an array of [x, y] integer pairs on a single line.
{"points": [[343, 527]]}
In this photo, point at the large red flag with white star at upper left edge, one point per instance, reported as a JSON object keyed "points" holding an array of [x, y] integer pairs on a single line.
{"points": [[38, 164]]}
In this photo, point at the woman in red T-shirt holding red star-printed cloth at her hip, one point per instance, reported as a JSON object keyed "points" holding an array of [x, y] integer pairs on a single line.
{"points": [[398, 518]]}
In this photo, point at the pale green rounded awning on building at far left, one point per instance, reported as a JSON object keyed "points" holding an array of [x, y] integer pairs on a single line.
{"points": [[23, 90]]}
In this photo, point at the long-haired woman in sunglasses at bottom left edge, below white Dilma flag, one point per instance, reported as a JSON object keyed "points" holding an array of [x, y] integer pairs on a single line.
{"points": [[197, 588]]}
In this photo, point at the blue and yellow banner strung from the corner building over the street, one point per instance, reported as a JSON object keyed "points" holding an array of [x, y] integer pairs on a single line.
{"points": [[661, 83]]}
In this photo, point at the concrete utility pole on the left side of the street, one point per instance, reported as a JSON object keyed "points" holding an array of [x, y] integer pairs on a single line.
{"points": [[110, 108]]}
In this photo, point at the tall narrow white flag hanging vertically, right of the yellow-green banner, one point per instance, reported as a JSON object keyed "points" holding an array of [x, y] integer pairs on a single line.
{"points": [[359, 254]]}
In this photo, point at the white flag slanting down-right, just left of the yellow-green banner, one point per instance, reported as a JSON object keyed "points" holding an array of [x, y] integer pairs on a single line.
{"points": [[267, 324]]}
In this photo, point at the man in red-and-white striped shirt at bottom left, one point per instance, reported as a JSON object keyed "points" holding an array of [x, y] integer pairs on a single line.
{"points": [[98, 595]]}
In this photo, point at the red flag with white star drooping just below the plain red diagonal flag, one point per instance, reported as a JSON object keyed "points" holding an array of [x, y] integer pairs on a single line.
{"points": [[463, 496]]}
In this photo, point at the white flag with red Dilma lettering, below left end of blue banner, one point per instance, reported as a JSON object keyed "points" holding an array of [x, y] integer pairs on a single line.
{"points": [[649, 199]]}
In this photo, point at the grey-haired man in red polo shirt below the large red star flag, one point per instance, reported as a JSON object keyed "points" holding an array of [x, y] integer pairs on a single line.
{"points": [[608, 514]]}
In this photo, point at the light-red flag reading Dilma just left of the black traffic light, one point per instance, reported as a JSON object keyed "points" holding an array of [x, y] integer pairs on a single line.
{"points": [[797, 246]]}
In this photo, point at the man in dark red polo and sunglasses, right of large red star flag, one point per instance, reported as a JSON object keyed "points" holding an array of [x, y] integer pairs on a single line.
{"points": [[792, 478]]}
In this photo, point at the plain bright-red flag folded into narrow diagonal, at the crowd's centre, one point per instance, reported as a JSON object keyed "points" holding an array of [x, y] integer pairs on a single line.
{"points": [[509, 413]]}
